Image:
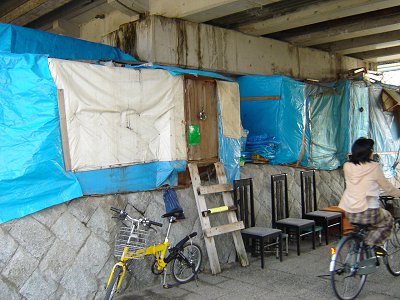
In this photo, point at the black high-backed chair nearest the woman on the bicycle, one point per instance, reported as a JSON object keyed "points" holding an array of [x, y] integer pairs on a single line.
{"points": [[309, 207]]}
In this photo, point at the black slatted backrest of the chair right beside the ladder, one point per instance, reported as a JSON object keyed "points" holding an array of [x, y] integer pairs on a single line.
{"points": [[244, 201]]}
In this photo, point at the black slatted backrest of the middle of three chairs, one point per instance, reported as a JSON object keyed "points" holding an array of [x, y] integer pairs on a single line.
{"points": [[279, 197]]}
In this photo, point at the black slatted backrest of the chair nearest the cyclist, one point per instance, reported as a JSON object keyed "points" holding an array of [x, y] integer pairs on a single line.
{"points": [[308, 192]]}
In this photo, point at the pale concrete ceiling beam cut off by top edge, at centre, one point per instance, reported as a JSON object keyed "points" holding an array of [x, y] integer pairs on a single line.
{"points": [[204, 10]]}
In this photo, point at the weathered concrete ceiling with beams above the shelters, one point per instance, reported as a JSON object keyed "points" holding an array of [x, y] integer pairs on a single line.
{"points": [[365, 29]]}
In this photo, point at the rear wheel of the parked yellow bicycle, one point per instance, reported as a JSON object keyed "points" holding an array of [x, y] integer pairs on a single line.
{"points": [[187, 263]]}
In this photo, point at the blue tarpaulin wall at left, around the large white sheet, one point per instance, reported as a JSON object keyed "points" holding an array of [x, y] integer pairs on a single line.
{"points": [[32, 170]]}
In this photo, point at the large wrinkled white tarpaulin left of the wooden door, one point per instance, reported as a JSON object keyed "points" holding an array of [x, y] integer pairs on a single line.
{"points": [[119, 116]]}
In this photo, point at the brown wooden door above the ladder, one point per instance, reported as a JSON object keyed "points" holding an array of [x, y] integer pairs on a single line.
{"points": [[200, 98]]}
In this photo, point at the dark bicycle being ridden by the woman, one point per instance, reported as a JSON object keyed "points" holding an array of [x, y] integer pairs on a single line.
{"points": [[352, 260]]}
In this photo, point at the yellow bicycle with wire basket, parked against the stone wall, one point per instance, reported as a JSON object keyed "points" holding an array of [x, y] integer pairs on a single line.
{"points": [[185, 257]]}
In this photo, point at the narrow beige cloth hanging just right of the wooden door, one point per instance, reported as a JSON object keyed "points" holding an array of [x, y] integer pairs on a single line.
{"points": [[229, 97]]}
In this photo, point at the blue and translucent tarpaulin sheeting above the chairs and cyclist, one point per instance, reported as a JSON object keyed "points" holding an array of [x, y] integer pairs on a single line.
{"points": [[316, 124]]}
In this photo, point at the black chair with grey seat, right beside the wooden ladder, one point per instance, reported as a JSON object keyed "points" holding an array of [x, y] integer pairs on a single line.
{"points": [[258, 239]]}
